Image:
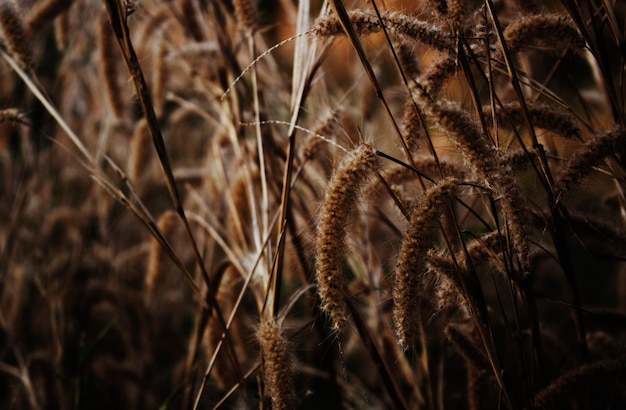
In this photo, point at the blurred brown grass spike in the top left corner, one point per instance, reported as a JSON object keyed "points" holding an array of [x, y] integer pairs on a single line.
{"points": [[14, 36]]}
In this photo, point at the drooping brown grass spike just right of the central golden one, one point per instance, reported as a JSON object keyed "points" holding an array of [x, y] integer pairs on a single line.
{"points": [[411, 265]]}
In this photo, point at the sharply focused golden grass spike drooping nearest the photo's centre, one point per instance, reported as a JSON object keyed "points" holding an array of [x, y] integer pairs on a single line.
{"points": [[341, 196]]}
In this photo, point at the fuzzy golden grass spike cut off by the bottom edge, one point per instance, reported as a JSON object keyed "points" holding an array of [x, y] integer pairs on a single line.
{"points": [[277, 372]]}
